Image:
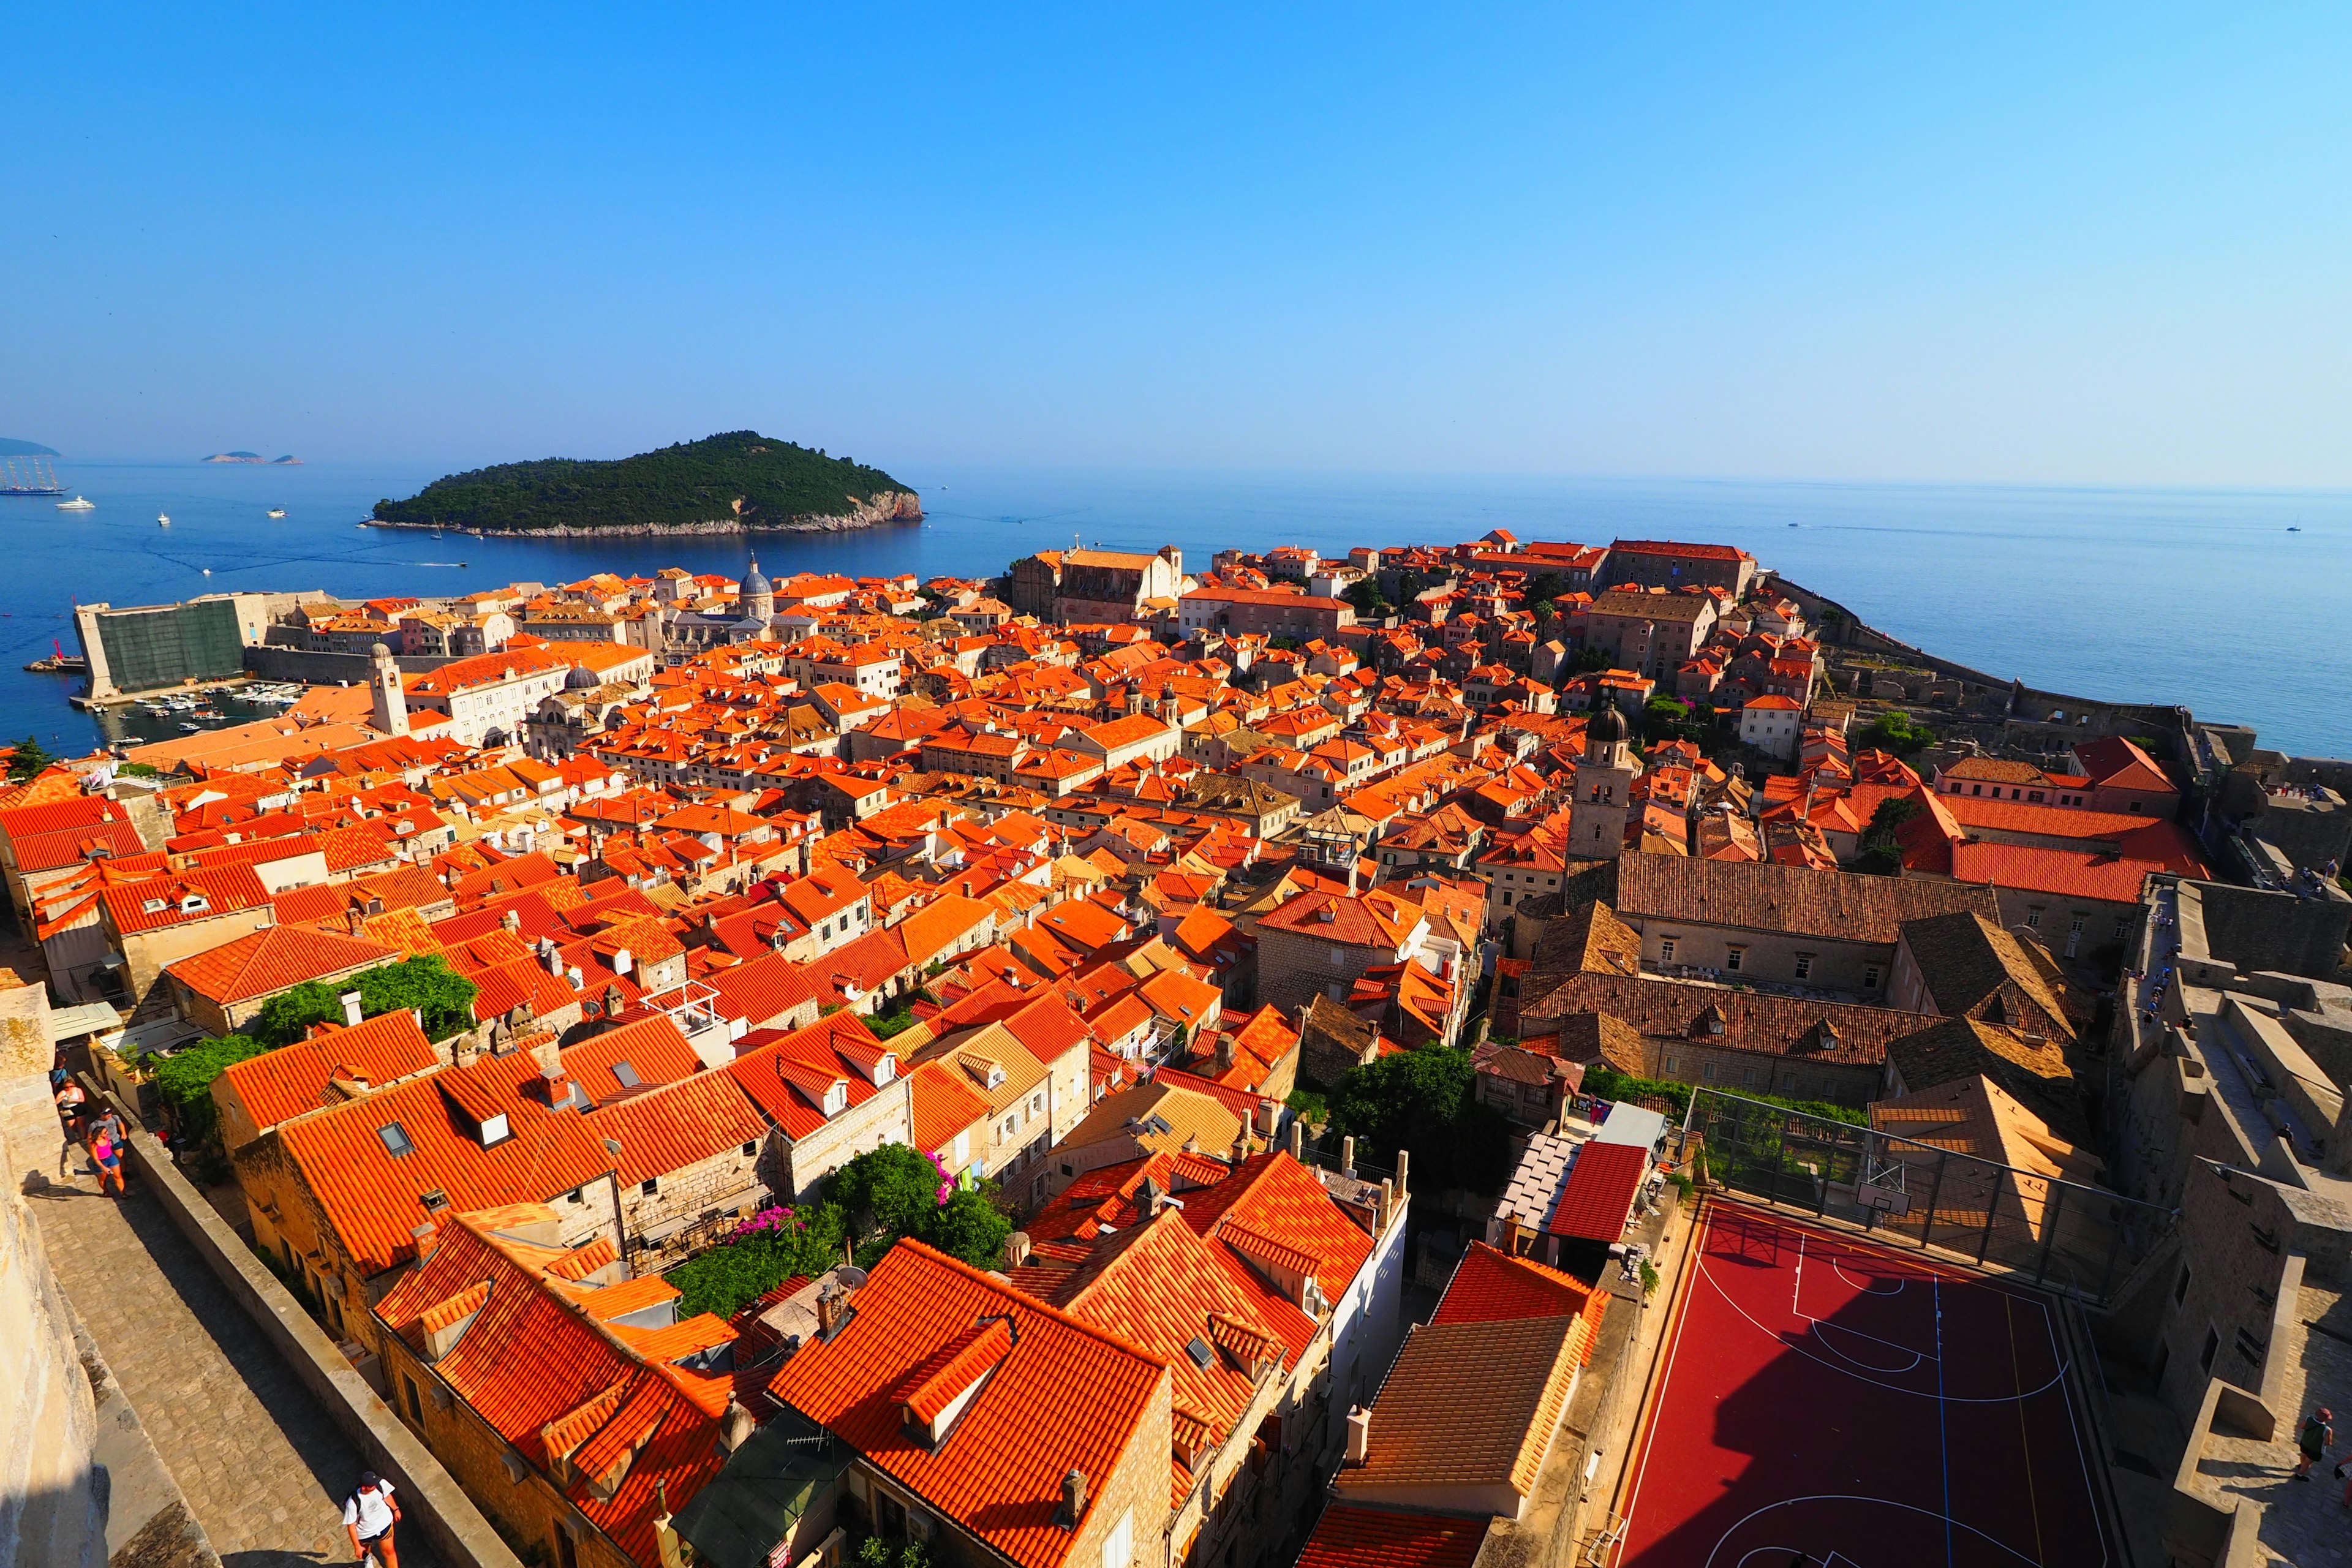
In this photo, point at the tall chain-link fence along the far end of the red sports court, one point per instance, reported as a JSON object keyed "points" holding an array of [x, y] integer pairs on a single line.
{"points": [[2062, 1235]]}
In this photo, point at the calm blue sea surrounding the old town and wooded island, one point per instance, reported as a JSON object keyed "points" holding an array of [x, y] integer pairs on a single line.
{"points": [[2203, 598]]}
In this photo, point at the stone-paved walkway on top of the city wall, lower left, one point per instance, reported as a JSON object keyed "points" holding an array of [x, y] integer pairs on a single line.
{"points": [[260, 1461]]}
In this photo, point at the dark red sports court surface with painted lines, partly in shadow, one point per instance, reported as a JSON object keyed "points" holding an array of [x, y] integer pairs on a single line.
{"points": [[1862, 1407]]}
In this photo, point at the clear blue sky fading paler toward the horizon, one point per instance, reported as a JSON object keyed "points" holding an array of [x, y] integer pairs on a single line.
{"points": [[2047, 243]]}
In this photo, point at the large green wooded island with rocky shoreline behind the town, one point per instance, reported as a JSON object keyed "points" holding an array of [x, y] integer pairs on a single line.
{"points": [[737, 483]]}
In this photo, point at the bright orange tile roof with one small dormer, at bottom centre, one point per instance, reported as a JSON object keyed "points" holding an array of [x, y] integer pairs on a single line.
{"points": [[1064, 1398]]}
